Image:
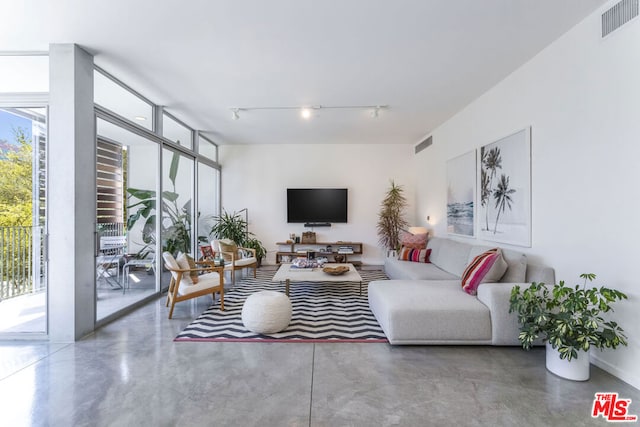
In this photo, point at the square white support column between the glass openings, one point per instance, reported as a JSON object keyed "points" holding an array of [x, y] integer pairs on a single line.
{"points": [[72, 194]]}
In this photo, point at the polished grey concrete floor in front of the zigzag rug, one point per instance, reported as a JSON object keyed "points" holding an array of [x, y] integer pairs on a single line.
{"points": [[131, 373]]}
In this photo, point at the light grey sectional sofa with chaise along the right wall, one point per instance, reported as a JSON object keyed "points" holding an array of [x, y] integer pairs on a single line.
{"points": [[424, 303]]}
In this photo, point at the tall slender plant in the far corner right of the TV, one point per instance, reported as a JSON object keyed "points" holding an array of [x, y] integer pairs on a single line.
{"points": [[391, 219]]}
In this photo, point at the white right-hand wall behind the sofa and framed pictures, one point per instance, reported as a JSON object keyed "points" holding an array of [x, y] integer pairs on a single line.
{"points": [[581, 96]]}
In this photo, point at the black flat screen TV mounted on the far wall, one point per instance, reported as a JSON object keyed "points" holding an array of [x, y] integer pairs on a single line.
{"points": [[317, 205]]}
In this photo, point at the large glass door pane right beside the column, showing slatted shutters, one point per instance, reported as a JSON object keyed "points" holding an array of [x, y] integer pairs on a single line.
{"points": [[126, 189]]}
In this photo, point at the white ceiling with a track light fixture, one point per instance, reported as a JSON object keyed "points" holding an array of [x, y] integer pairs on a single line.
{"points": [[425, 59]]}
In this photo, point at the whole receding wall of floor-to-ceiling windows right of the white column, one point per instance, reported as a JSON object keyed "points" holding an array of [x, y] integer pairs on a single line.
{"points": [[134, 224]]}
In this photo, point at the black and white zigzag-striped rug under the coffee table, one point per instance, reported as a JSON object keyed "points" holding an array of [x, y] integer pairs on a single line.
{"points": [[322, 312]]}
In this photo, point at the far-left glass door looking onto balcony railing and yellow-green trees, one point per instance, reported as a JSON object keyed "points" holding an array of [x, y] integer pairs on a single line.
{"points": [[23, 281]]}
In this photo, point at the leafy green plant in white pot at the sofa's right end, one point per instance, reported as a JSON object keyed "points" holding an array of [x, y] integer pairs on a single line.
{"points": [[569, 320]]}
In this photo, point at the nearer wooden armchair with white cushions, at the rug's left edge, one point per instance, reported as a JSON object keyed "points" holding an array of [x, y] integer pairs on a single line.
{"points": [[182, 287]]}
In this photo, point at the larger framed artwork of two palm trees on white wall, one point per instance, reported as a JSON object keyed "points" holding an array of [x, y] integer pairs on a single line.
{"points": [[504, 190]]}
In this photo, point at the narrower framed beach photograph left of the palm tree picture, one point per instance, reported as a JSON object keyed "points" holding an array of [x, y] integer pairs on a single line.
{"points": [[461, 190]]}
